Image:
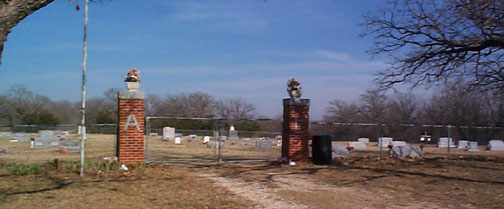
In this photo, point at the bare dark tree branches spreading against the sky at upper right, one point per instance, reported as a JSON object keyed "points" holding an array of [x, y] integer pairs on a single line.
{"points": [[432, 41]]}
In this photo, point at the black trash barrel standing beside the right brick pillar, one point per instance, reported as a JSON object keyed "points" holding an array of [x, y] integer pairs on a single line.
{"points": [[321, 150]]}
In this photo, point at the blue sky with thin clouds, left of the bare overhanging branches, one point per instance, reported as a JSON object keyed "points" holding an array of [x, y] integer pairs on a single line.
{"points": [[228, 49]]}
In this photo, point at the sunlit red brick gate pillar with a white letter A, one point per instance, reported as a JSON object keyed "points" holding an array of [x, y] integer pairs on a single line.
{"points": [[130, 133]]}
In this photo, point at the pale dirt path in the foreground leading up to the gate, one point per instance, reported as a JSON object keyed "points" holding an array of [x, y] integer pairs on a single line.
{"points": [[287, 190]]}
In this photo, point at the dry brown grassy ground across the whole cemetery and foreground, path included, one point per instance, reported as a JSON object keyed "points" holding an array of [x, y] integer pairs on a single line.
{"points": [[464, 180]]}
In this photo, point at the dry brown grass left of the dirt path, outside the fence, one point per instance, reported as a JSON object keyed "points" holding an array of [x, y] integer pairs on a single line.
{"points": [[160, 186]]}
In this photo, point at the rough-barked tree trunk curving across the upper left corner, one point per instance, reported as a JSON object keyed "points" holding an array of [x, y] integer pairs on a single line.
{"points": [[12, 12]]}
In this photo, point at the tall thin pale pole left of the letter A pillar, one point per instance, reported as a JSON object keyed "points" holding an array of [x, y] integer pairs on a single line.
{"points": [[83, 100]]}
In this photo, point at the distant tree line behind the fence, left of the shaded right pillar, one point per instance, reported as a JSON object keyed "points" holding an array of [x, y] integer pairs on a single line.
{"points": [[22, 106]]}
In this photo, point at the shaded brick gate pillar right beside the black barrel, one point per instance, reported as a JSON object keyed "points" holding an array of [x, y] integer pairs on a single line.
{"points": [[295, 133]]}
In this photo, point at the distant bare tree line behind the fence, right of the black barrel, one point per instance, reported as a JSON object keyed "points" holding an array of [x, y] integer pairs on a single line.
{"points": [[453, 104]]}
